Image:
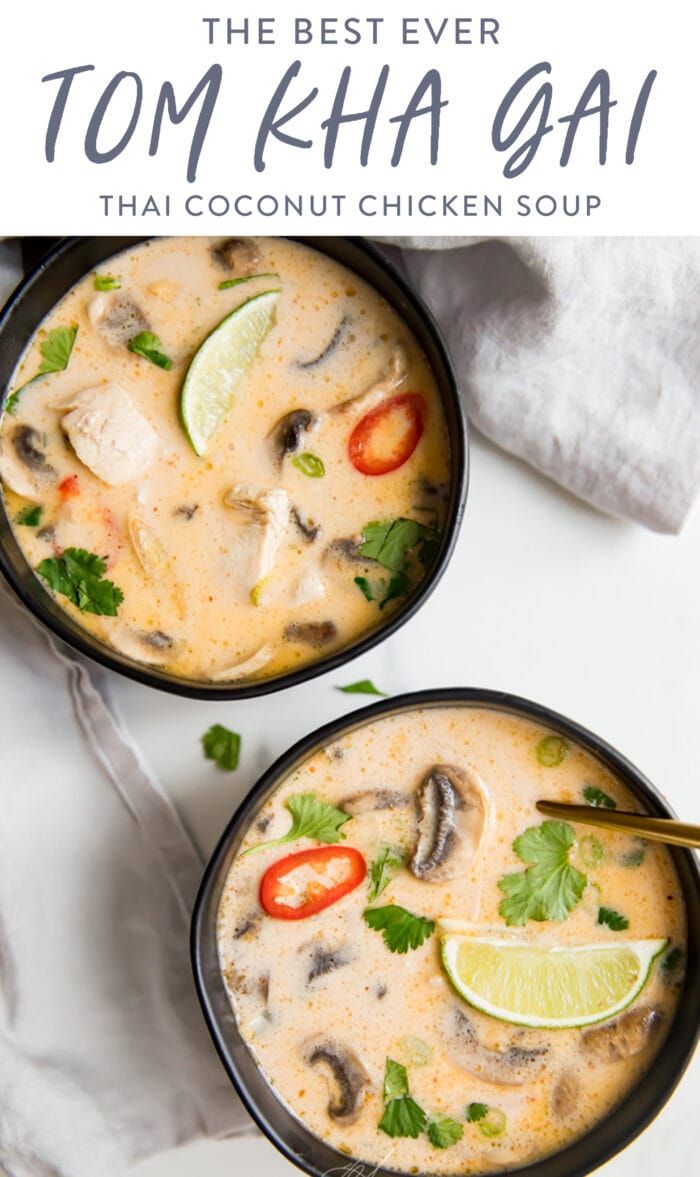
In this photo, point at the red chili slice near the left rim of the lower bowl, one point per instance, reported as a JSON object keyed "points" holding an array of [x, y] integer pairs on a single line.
{"points": [[337, 870]]}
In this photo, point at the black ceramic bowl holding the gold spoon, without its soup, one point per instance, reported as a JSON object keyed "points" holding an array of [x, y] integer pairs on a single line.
{"points": [[277, 1122]]}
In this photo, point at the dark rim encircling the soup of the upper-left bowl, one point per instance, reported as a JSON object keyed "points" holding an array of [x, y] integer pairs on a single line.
{"points": [[459, 482]]}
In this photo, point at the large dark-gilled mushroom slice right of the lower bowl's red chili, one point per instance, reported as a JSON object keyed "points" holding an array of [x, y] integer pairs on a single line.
{"points": [[452, 808]]}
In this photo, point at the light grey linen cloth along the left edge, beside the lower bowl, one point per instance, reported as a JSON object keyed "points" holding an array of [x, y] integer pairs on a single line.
{"points": [[104, 1054]]}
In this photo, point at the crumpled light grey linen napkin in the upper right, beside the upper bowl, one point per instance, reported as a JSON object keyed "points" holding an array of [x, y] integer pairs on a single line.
{"points": [[581, 356]]}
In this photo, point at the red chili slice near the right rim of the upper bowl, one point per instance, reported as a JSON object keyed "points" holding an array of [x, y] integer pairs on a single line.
{"points": [[386, 437]]}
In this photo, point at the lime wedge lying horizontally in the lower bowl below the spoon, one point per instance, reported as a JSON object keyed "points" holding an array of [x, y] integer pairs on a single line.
{"points": [[556, 988]]}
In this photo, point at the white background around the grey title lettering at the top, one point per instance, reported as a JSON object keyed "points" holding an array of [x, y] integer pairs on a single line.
{"points": [[162, 41]]}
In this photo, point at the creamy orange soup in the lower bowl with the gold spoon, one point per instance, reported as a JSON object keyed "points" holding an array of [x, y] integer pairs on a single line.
{"points": [[430, 975]]}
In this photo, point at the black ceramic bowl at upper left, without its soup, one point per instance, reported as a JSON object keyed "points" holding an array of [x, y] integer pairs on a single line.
{"points": [[69, 262]]}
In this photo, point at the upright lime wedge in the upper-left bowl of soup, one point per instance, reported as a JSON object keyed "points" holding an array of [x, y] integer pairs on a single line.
{"points": [[221, 364]]}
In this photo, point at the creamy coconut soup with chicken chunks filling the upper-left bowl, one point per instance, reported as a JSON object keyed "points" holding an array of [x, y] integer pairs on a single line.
{"points": [[225, 458]]}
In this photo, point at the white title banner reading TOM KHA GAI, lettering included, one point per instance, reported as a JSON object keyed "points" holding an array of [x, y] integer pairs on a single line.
{"points": [[541, 118]]}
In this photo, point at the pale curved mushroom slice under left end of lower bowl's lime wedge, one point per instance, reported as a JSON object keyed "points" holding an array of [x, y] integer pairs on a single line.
{"points": [[511, 1067]]}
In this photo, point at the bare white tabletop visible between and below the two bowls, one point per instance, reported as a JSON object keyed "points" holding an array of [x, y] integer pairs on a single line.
{"points": [[544, 599]]}
